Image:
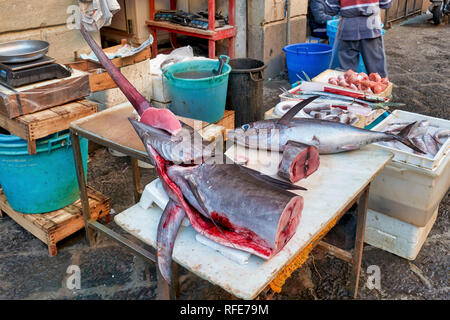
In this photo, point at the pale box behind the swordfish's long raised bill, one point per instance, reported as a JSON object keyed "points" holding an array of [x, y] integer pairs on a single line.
{"points": [[140, 77]]}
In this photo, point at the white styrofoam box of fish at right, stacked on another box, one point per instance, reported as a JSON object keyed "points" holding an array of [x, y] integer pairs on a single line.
{"points": [[405, 189]]}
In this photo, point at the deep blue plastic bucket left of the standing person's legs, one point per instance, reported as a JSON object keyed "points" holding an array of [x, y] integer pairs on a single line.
{"points": [[311, 58]]}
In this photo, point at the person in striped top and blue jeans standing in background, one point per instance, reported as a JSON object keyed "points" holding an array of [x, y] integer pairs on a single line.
{"points": [[360, 32]]}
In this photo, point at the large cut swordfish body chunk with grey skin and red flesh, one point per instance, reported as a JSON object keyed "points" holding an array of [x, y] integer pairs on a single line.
{"points": [[250, 213]]}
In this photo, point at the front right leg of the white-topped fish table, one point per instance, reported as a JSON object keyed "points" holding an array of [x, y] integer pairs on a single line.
{"points": [[359, 243]]}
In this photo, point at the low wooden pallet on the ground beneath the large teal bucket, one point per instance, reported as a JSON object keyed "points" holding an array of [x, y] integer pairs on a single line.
{"points": [[52, 227]]}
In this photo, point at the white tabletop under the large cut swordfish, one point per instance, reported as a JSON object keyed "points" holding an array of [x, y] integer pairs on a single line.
{"points": [[339, 179]]}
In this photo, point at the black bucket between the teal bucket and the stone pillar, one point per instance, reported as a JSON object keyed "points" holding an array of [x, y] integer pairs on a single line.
{"points": [[245, 90]]}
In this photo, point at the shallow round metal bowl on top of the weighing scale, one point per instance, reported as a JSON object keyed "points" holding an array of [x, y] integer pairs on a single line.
{"points": [[22, 51]]}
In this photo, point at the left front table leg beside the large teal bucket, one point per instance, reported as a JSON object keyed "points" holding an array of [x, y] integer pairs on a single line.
{"points": [[82, 186]]}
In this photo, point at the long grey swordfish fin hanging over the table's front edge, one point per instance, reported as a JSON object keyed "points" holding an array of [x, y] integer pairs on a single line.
{"points": [[168, 226]]}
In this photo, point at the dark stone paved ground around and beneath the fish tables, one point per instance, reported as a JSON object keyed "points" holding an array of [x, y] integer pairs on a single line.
{"points": [[418, 58]]}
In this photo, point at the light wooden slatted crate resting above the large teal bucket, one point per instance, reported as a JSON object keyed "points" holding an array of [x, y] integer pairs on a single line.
{"points": [[37, 125]]}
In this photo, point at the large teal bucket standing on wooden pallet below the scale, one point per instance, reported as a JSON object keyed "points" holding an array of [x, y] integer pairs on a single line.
{"points": [[45, 181]]}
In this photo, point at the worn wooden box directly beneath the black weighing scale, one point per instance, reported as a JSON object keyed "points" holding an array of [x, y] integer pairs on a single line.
{"points": [[43, 95]]}
